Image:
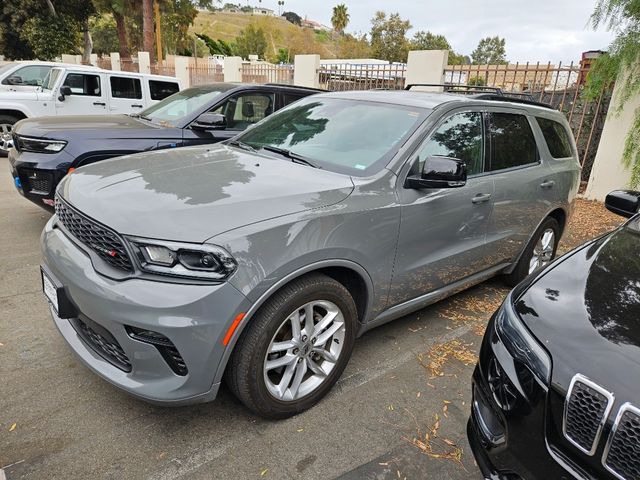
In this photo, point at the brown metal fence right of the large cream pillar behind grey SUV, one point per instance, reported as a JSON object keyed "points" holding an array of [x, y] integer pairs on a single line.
{"points": [[558, 85]]}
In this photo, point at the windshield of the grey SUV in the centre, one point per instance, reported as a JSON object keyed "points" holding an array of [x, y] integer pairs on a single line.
{"points": [[348, 136]]}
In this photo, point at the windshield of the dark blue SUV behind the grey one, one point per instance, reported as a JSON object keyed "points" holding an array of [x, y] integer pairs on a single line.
{"points": [[171, 110]]}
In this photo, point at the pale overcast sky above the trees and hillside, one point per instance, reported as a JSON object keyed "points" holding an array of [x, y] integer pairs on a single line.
{"points": [[535, 30]]}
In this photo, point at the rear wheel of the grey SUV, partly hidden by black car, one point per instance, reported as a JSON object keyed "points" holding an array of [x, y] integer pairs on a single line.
{"points": [[540, 251]]}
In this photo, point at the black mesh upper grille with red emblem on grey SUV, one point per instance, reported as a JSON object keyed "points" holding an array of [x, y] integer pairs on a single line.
{"points": [[104, 242]]}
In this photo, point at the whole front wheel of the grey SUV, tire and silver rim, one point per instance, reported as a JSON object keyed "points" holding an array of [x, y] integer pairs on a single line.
{"points": [[295, 347]]}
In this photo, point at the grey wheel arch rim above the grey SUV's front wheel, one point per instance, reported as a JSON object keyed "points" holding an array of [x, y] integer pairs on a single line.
{"points": [[350, 274]]}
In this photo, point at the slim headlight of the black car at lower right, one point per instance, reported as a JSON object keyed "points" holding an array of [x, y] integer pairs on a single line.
{"points": [[521, 344]]}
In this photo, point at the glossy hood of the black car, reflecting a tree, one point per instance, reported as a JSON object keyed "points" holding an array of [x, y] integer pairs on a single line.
{"points": [[586, 312]]}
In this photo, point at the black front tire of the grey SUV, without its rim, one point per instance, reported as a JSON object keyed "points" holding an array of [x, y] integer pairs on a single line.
{"points": [[245, 376]]}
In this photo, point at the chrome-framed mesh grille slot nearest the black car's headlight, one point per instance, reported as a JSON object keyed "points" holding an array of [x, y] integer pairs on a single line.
{"points": [[586, 409]]}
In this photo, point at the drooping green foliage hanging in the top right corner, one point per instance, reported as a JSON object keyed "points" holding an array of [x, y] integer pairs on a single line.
{"points": [[621, 64]]}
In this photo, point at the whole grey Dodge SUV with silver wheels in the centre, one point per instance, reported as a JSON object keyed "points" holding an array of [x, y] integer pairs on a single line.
{"points": [[262, 259]]}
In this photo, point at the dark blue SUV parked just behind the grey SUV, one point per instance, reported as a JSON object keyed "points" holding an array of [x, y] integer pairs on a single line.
{"points": [[47, 148]]}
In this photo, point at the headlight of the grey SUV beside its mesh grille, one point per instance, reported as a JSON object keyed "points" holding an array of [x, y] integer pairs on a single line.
{"points": [[185, 260]]}
